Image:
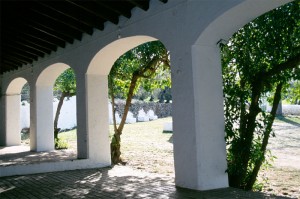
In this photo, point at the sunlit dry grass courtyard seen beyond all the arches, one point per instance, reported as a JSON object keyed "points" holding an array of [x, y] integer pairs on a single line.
{"points": [[146, 147]]}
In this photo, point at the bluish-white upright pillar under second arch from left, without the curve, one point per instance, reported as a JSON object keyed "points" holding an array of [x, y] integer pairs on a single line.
{"points": [[41, 113]]}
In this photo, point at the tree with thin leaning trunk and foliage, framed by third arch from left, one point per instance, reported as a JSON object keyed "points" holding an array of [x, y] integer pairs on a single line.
{"points": [[146, 65]]}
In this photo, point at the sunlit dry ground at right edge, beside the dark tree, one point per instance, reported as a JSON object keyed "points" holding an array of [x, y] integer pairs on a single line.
{"points": [[283, 178]]}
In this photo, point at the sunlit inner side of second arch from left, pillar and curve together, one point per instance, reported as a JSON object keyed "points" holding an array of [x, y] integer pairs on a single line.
{"points": [[41, 127]]}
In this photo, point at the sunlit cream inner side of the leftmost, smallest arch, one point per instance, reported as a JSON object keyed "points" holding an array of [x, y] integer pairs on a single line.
{"points": [[12, 112]]}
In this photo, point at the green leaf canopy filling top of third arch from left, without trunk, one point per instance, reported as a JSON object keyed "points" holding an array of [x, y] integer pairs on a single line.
{"points": [[133, 62]]}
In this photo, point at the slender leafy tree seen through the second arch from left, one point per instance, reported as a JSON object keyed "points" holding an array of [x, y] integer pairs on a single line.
{"points": [[65, 84]]}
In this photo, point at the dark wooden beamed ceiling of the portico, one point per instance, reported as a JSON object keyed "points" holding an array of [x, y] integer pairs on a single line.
{"points": [[31, 29]]}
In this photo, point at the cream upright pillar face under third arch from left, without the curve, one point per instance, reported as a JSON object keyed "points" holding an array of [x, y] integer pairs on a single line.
{"points": [[97, 119]]}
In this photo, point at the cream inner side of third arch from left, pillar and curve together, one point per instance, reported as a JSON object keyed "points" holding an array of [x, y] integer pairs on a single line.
{"points": [[97, 94]]}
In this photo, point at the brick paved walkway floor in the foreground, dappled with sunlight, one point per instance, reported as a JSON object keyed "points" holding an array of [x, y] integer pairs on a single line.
{"points": [[118, 182]]}
